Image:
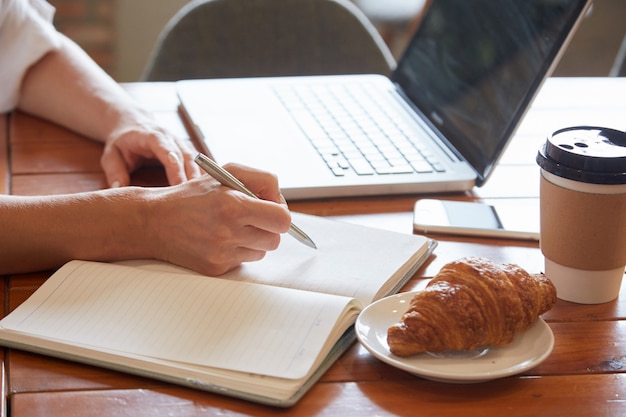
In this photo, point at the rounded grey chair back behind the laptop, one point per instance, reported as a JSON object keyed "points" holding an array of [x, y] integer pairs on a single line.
{"points": [[246, 38]]}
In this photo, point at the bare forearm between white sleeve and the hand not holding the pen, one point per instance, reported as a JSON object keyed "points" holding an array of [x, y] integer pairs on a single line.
{"points": [[68, 88]]}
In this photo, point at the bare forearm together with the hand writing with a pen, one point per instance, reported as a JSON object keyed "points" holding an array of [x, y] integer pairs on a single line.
{"points": [[198, 224]]}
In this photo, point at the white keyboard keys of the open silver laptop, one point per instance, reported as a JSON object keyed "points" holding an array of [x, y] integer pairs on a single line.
{"points": [[353, 133]]}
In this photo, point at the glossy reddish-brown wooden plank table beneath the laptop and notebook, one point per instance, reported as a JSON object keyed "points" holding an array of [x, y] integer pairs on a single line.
{"points": [[583, 376]]}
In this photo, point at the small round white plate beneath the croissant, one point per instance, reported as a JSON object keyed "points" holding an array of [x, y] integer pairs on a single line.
{"points": [[527, 350]]}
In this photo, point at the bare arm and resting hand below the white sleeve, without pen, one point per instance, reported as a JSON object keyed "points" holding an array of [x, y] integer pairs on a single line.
{"points": [[68, 88]]}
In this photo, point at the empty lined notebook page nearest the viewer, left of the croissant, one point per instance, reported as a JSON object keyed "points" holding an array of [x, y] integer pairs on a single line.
{"points": [[185, 318]]}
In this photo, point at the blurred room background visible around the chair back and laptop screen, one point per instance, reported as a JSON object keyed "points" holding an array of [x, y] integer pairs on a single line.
{"points": [[120, 34]]}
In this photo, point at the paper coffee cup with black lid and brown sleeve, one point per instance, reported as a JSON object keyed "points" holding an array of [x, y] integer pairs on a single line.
{"points": [[583, 212]]}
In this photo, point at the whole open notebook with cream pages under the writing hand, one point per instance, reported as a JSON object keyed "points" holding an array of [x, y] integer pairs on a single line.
{"points": [[265, 332]]}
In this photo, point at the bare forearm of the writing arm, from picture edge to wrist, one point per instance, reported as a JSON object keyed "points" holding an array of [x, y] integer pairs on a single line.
{"points": [[39, 234]]}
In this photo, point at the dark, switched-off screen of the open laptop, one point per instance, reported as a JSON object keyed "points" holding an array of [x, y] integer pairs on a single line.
{"points": [[473, 67]]}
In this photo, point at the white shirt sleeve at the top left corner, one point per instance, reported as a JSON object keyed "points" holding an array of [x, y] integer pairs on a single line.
{"points": [[26, 34]]}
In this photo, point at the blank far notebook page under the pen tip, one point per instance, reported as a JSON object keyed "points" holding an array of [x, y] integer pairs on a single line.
{"points": [[351, 260]]}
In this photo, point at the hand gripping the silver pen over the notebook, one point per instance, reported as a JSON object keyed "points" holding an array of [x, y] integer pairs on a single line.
{"points": [[211, 228]]}
